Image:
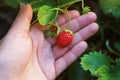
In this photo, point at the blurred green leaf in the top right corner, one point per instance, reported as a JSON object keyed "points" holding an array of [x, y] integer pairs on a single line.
{"points": [[111, 6]]}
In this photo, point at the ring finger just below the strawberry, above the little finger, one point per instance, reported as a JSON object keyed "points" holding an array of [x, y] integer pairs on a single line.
{"points": [[82, 35]]}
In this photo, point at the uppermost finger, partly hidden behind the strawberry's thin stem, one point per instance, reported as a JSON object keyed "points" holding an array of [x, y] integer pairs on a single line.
{"points": [[64, 18]]}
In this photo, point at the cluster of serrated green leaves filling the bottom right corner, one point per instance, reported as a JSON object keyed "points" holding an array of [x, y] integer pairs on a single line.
{"points": [[100, 65]]}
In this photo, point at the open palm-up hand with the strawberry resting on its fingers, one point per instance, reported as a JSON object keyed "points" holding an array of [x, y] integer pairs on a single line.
{"points": [[26, 54]]}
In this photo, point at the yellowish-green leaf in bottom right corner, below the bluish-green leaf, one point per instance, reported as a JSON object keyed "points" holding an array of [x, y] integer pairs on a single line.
{"points": [[110, 72]]}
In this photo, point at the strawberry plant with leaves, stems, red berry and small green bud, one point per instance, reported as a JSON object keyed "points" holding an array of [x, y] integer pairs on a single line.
{"points": [[47, 13]]}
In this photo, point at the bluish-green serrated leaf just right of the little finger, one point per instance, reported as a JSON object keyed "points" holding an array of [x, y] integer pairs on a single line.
{"points": [[93, 61]]}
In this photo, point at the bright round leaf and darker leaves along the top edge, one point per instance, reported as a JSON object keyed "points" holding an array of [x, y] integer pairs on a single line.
{"points": [[49, 9]]}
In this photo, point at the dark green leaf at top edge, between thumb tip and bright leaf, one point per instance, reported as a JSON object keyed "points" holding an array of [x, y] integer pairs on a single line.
{"points": [[39, 3]]}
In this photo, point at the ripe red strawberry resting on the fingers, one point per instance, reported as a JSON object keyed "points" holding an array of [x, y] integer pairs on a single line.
{"points": [[64, 38]]}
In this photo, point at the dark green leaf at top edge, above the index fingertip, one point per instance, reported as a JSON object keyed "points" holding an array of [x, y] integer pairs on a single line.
{"points": [[66, 3]]}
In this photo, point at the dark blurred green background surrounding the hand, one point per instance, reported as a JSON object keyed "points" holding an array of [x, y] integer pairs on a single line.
{"points": [[107, 39]]}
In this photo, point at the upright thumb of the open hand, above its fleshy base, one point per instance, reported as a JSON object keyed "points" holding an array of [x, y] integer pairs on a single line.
{"points": [[22, 21]]}
